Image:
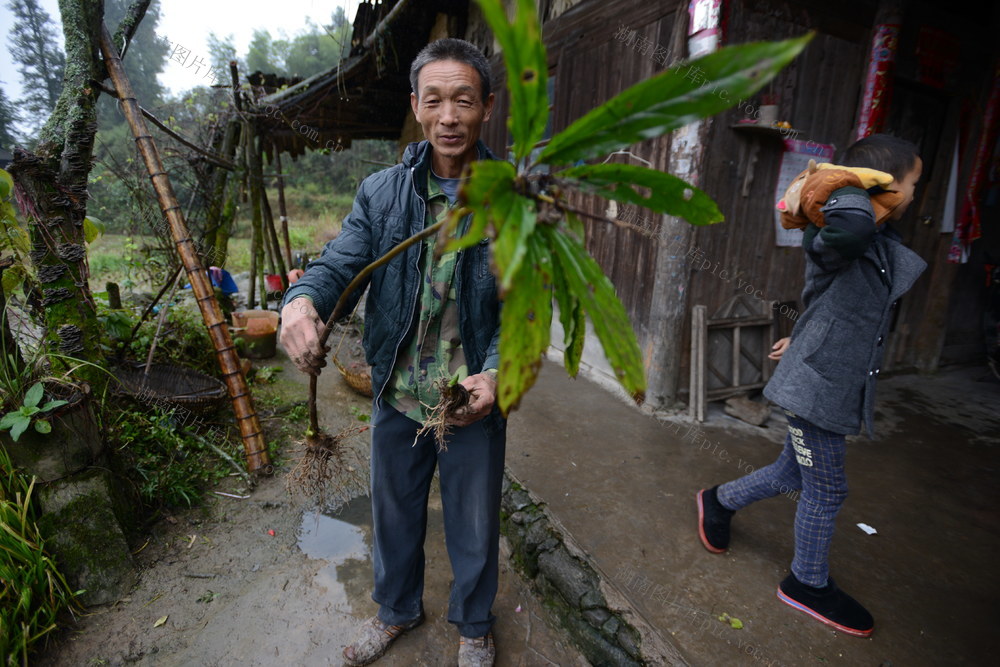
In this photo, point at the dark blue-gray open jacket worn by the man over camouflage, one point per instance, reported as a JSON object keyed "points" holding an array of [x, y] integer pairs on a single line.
{"points": [[390, 206]]}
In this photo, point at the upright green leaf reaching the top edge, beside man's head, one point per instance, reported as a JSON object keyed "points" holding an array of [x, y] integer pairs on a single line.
{"points": [[527, 71]]}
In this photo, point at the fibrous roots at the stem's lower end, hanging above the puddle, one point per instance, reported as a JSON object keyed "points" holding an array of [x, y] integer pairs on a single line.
{"points": [[329, 472]]}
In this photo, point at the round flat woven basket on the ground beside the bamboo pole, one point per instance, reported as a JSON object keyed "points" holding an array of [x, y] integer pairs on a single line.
{"points": [[174, 385]]}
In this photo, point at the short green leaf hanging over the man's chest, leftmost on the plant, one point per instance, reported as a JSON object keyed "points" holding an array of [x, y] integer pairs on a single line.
{"points": [[489, 180]]}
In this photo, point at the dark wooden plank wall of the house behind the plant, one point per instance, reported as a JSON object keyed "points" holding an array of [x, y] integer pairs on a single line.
{"points": [[818, 94]]}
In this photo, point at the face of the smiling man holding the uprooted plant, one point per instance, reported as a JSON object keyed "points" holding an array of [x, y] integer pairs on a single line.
{"points": [[450, 107]]}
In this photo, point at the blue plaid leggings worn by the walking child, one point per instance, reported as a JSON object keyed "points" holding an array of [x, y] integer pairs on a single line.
{"points": [[813, 461]]}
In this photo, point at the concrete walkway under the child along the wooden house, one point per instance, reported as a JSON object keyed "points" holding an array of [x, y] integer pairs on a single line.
{"points": [[622, 484]]}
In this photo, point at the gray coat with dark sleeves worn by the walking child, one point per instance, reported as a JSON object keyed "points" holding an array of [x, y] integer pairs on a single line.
{"points": [[854, 276]]}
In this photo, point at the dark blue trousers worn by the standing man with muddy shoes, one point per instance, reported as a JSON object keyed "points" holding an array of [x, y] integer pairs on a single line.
{"points": [[471, 472]]}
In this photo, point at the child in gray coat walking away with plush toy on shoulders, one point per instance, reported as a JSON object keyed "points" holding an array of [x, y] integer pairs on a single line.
{"points": [[856, 269]]}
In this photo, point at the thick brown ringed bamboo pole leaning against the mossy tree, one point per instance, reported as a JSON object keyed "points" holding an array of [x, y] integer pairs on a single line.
{"points": [[225, 351]]}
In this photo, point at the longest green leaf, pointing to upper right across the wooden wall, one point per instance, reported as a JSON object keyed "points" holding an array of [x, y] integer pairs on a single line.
{"points": [[672, 99]]}
